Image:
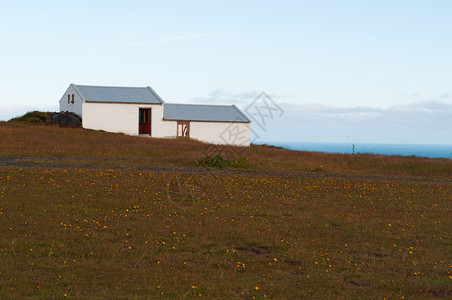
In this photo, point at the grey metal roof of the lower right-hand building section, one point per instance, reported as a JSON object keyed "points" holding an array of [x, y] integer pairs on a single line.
{"points": [[206, 113]]}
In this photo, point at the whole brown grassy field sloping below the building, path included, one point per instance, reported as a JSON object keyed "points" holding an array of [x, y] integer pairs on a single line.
{"points": [[87, 214]]}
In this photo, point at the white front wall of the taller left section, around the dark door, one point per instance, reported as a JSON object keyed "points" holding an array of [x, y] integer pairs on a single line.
{"points": [[120, 117]]}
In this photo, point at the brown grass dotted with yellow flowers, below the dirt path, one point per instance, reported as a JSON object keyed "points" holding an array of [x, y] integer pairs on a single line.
{"points": [[127, 234]]}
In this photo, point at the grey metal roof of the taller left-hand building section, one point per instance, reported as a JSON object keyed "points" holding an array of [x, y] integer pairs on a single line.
{"points": [[145, 95]]}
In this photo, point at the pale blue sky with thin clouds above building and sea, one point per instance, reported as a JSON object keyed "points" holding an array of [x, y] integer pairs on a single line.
{"points": [[338, 71]]}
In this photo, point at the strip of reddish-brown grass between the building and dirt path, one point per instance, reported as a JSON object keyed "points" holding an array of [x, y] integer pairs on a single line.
{"points": [[50, 141]]}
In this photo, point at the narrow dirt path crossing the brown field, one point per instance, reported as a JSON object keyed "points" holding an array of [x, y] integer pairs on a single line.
{"points": [[81, 163]]}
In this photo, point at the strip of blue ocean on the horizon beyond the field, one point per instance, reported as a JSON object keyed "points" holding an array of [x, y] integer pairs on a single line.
{"points": [[431, 151]]}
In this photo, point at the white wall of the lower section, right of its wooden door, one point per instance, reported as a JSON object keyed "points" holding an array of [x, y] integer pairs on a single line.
{"points": [[221, 133]]}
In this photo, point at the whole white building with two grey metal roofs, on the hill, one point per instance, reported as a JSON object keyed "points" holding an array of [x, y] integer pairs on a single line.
{"points": [[140, 111]]}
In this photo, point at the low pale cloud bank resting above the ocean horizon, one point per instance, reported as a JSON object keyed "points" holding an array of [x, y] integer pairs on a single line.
{"points": [[424, 122]]}
